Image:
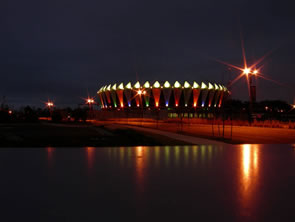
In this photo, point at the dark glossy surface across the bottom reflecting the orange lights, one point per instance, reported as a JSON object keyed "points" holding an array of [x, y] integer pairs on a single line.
{"points": [[181, 183]]}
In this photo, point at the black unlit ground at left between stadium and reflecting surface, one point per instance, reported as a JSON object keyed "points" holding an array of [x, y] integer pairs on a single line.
{"points": [[46, 134]]}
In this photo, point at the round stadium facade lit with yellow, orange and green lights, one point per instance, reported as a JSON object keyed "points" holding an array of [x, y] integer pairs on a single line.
{"points": [[162, 95]]}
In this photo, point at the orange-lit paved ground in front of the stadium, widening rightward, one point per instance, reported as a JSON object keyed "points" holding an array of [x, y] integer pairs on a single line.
{"points": [[234, 134]]}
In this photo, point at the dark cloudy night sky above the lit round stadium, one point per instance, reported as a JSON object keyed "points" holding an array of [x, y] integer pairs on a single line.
{"points": [[64, 49]]}
